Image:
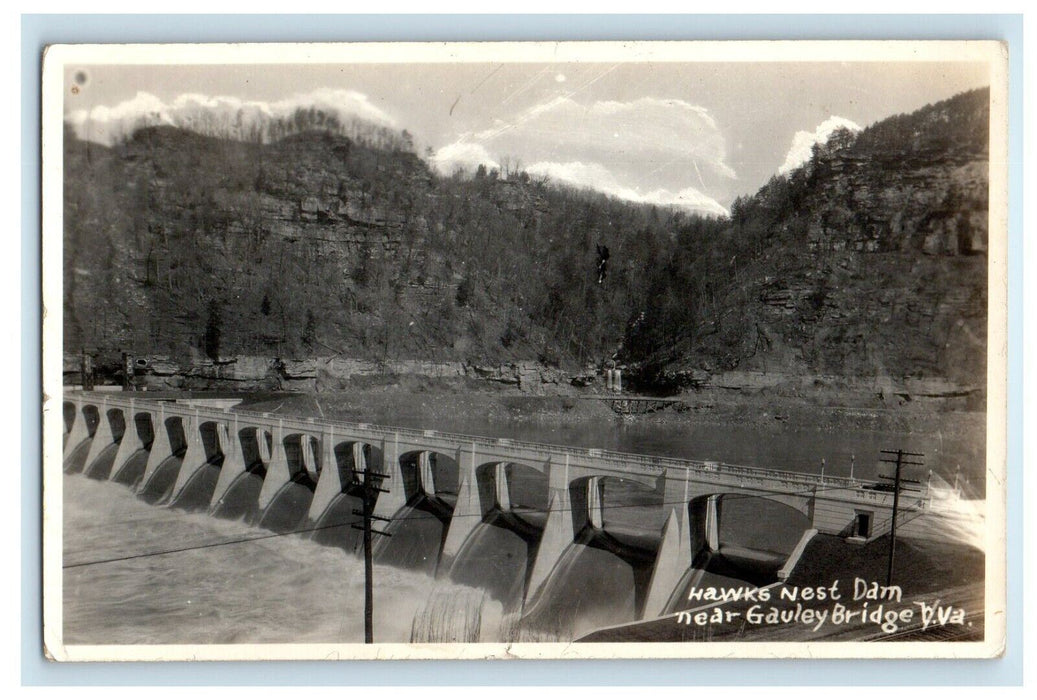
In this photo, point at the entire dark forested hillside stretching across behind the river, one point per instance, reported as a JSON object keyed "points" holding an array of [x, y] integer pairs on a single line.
{"points": [[325, 240]]}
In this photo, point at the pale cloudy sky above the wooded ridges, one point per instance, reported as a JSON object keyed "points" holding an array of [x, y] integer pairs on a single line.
{"points": [[693, 135]]}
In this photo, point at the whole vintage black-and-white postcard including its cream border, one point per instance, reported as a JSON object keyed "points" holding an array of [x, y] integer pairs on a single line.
{"points": [[485, 351]]}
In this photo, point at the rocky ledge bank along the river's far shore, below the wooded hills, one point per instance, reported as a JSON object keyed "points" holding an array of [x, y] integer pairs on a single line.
{"points": [[777, 393]]}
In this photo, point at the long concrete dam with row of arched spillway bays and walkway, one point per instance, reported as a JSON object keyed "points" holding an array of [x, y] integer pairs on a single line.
{"points": [[569, 540]]}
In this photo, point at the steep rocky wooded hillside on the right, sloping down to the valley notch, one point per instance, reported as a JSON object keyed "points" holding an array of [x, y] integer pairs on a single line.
{"points": [[868, 262]]}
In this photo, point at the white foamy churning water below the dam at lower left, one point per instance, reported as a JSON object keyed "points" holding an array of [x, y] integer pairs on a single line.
{"points": [[282, 590]]}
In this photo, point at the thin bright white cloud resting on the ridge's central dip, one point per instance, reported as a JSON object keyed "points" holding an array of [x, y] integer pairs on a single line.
{"points": [[599, 178]]}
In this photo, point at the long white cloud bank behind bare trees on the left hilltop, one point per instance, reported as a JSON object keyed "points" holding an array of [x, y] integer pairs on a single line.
{"points": [[221, 115]]}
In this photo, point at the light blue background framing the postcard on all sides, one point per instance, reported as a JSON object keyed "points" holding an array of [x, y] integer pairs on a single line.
{"points": [[41, 31]]}
